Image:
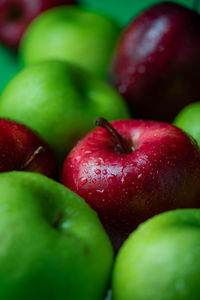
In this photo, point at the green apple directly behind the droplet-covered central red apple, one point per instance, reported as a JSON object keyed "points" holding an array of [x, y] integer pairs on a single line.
{"points": [[60, 102]]}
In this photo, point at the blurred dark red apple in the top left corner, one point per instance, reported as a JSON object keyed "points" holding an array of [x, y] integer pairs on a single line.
{"points": [[16, 15]]}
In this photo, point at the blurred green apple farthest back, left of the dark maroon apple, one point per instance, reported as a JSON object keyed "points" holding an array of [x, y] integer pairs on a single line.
{"points": [[73, 34]]}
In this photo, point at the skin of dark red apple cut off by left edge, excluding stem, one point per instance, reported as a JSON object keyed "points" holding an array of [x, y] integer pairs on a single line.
{"points": [[18, 143]]}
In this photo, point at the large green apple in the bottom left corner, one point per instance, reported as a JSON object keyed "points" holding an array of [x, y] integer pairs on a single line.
{"points": [[52, 244]]}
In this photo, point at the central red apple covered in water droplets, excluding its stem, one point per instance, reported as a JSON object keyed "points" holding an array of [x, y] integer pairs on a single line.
{"points": [[162, 173]]}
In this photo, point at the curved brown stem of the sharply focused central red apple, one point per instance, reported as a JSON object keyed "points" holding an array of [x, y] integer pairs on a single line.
{"points": [[121, 143]]}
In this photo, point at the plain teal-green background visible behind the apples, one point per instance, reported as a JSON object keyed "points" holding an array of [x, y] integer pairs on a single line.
{"points": [[121, 10]]}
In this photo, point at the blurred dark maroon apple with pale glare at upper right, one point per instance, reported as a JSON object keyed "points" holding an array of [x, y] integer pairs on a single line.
{"points": [[157, 62]]}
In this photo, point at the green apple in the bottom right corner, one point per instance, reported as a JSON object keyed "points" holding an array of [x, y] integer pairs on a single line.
{"points": [[161, 259]]}
